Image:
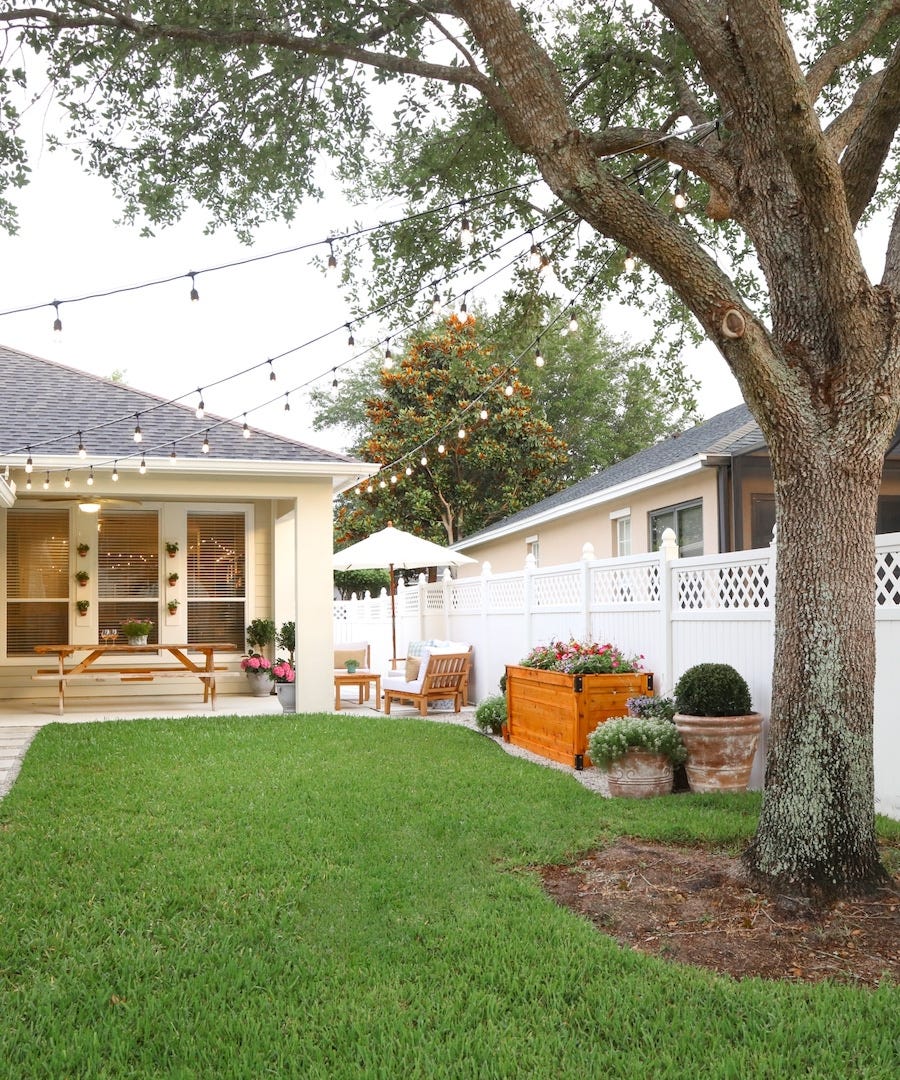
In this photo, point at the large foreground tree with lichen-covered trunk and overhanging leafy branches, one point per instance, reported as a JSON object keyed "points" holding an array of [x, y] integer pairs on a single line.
{"points": [[567, 118]]}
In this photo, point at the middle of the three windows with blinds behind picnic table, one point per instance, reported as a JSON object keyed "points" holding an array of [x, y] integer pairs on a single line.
{"points": [[128, 569]]}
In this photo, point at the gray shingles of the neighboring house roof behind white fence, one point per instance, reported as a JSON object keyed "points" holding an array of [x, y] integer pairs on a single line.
{"points": [[732, 431]]}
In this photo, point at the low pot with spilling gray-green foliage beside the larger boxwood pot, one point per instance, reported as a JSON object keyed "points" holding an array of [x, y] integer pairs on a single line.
{"points": [[639, 754]]}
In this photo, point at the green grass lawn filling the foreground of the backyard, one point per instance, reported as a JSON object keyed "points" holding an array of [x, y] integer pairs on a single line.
{"points": [[344, 897]]}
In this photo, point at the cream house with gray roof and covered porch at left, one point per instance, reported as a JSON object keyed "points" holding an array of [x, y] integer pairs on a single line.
{"points": [[247, 516]]}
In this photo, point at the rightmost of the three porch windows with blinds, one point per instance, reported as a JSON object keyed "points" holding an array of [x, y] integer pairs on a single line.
{"points": [[217, 577]]}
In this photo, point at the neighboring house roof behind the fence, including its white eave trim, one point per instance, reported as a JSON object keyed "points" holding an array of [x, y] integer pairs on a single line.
{"points": [[729, 434]]}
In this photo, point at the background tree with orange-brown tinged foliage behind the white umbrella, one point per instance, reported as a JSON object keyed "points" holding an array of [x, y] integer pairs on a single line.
{"points": [[500, 458]]}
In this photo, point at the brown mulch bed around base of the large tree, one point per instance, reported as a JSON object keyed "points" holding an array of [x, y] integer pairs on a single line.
{"points": [[696, 907]]}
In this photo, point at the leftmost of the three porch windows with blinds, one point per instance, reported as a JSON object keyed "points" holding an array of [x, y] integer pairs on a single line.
{"points": [[37, 579]]}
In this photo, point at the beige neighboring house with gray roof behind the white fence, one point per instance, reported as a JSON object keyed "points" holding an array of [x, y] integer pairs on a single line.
{"points": [[711, 484]]}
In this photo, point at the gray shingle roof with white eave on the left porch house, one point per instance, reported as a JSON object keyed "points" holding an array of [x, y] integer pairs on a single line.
{"points": [[46, 404]]}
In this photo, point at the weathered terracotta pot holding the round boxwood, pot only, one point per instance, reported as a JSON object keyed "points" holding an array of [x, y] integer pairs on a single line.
{"points": [[720, 750]]}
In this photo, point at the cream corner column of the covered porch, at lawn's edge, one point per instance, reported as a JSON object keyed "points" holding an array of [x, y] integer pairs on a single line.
{"points": [[314, 603]]}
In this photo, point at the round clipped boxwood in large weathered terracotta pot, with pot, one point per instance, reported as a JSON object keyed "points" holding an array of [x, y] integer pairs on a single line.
{"points": [[719, 727]]}
